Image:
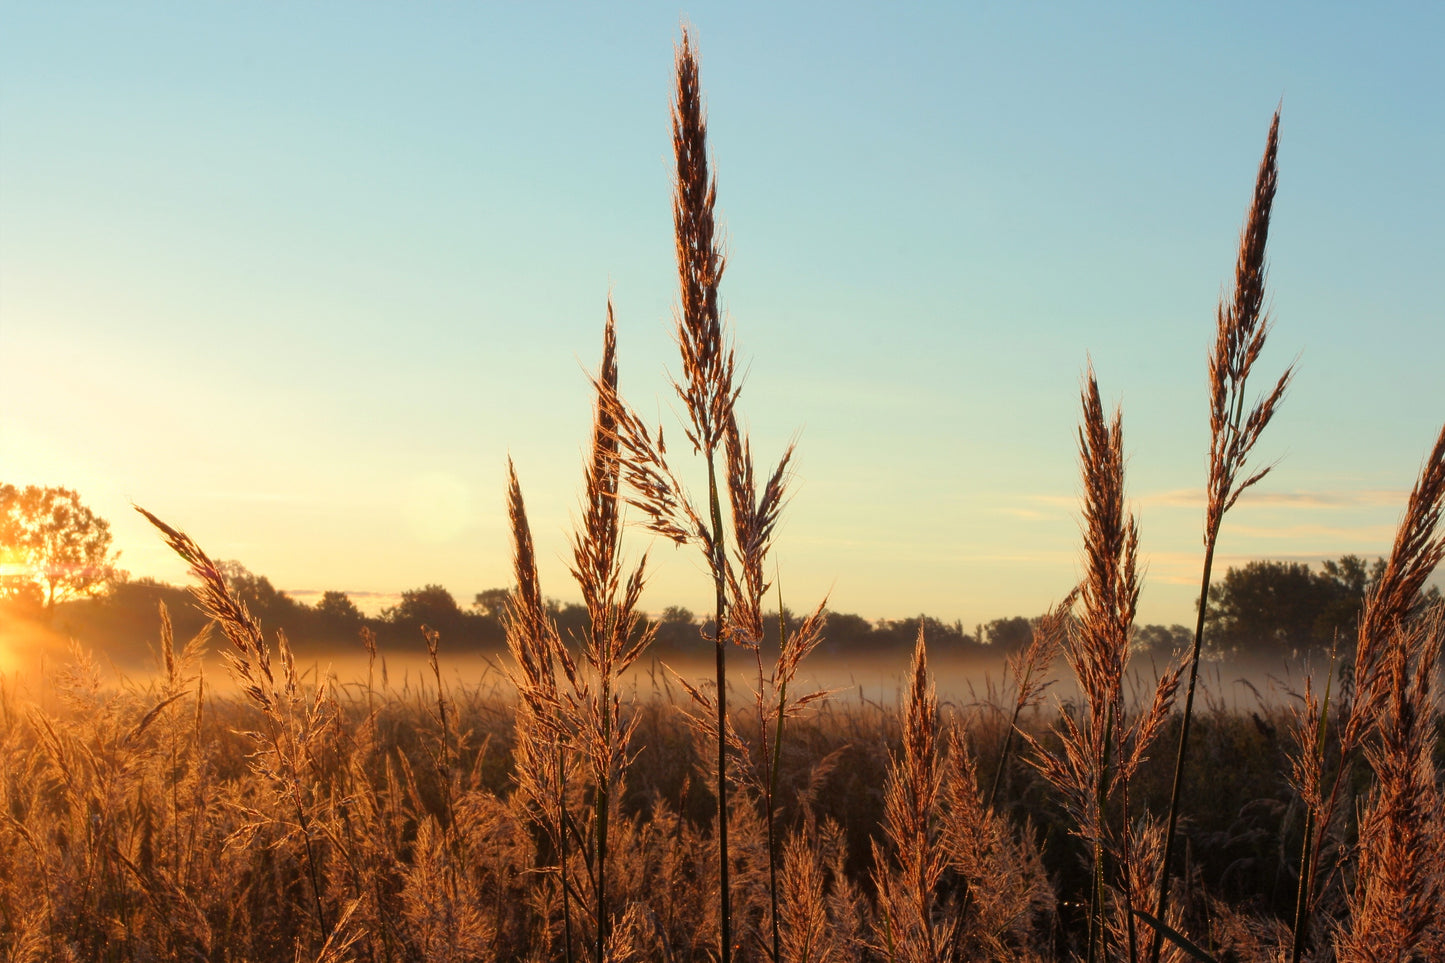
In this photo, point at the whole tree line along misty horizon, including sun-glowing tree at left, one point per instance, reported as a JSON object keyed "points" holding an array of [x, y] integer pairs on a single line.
{"points": [[60, 570]]}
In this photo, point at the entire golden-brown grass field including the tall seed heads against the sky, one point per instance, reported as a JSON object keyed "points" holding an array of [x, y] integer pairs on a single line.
{"points": [[576, 816]]}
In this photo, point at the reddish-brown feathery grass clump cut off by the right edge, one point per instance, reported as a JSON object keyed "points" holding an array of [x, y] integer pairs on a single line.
{"points": [[1389, 718]]}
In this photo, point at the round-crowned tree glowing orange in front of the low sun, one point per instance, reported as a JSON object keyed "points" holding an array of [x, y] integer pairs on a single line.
{"points": [[53, 547]]}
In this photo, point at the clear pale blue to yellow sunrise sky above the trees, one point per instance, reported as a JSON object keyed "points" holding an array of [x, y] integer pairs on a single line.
{"points": [[300, 277]]}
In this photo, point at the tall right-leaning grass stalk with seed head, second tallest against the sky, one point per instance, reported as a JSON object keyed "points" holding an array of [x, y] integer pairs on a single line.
{"points": [[1242, 329]]}
